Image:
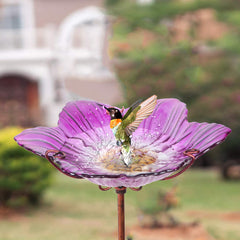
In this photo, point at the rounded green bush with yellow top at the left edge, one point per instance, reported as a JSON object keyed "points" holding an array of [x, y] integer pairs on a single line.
{"points": [[23, 176]]}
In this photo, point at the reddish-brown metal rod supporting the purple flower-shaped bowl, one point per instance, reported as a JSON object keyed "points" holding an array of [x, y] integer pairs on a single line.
{"points": [[121, 215]]}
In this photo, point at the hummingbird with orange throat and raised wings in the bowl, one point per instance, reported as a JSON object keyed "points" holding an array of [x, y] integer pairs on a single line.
{"points": [[124, 126]]}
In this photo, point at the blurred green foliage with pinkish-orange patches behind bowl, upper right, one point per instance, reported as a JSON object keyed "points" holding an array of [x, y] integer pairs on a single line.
{"points": [[202, 71]]}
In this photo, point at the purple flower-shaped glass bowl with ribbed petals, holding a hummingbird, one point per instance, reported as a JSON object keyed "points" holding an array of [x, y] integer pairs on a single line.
{"points": [[84, 146]]}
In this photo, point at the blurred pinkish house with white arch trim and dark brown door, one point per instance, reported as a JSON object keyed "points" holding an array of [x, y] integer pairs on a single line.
{"points": [[52, 51]]}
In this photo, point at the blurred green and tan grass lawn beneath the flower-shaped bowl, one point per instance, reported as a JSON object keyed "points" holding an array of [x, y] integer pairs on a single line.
{"points": [[77, 210]]}
